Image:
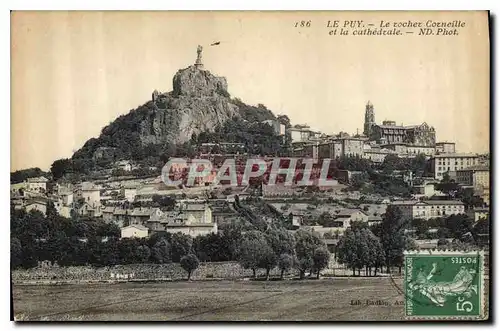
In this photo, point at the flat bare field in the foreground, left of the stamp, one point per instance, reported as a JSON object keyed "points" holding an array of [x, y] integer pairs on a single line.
{"points": [[334, 299]]}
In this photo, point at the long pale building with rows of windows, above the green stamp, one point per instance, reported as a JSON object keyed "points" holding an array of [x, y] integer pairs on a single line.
{"points": [[428, 209]]}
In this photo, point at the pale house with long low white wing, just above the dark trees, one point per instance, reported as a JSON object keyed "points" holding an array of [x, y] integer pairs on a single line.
{"points": [[191, 219]]}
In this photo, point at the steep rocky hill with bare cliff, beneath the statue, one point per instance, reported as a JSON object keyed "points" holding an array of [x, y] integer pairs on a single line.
{"points": [[199, 103]]}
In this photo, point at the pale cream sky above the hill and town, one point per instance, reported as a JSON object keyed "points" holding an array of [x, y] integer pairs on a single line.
{"points": [[72, 73]]}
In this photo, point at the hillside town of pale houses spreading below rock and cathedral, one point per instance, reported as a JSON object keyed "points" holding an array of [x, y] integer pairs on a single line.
{"points": [[129, 202]]}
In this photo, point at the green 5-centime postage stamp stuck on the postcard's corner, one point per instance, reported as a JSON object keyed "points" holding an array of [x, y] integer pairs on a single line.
{"points": [[444, 285]]}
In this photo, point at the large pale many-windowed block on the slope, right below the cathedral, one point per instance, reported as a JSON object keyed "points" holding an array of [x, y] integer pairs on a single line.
{"points": [[446, 163]]}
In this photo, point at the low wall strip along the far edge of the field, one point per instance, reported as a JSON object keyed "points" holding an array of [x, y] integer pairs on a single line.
{"points": [[172, 271]]}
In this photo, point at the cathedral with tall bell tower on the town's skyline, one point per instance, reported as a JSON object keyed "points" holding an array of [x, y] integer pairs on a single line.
{"points": [[390, 133]]}
